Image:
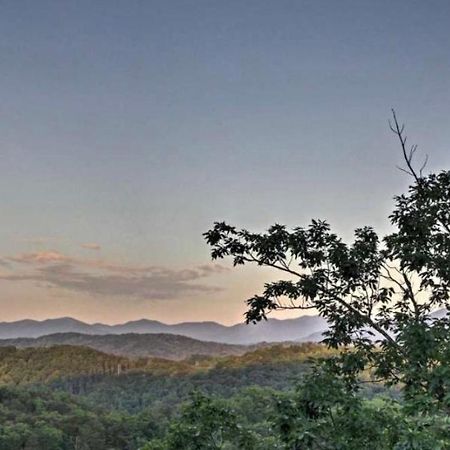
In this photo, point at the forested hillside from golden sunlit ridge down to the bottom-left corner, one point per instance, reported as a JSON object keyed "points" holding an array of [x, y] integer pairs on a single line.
{"points": [[69, 397]]}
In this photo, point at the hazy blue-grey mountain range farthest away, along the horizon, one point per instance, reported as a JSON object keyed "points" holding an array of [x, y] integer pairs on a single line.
{"points": [[302, 329]]}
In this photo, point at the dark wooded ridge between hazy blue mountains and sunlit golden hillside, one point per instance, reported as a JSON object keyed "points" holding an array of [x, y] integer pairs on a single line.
{"points": [[167, 346]]}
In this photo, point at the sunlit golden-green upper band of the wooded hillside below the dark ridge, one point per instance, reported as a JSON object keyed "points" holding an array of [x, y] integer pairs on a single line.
{"points": [[64, 362]]}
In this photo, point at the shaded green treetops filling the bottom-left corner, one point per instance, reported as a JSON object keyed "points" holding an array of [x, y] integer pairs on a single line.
{"points": [[39, 419]]}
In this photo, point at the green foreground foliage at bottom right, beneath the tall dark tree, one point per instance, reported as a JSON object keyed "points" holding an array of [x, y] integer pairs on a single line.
{"points": [[319, 415]]}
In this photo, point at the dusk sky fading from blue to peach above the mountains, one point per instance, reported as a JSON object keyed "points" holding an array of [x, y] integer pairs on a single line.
{"points": [[128, 127]]}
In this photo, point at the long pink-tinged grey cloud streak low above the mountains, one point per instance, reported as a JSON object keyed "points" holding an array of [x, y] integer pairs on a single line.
{"points": [[104, 278]]}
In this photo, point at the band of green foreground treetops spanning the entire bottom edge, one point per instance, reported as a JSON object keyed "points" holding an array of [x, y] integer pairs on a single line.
{"points": [[319, 414]]}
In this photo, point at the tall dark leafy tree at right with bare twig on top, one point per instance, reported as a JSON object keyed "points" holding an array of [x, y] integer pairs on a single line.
{"points": [[377, 294]]}
